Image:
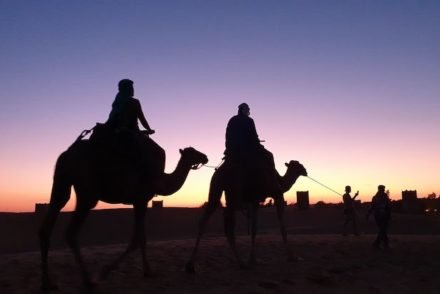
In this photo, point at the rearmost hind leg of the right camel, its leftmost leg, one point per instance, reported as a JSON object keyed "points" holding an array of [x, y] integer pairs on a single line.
{"points": [[215, 194]]}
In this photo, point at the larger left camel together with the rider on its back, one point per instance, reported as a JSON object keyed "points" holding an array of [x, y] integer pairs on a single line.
{"points": [[97, 172]]}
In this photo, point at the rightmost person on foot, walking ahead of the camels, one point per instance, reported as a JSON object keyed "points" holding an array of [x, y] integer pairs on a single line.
{"points": [[381, 207]]}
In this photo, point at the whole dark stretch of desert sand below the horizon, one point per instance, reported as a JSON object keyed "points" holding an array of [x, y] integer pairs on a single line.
{"points": [[330, 263]]}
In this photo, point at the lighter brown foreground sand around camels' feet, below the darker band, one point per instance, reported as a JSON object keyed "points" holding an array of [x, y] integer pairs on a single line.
{"points": [[331, 264]]}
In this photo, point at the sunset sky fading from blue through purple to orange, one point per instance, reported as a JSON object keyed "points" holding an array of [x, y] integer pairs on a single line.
{"points": [[349, 88]]}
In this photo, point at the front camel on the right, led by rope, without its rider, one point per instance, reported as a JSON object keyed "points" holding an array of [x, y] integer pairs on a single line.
{"points": [[229, 180]]}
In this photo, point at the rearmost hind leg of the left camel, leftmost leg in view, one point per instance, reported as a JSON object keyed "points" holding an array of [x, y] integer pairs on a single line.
{"points": [[59, 197]]}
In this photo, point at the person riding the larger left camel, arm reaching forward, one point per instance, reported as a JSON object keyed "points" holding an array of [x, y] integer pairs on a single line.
{"points": [[123, 120]]}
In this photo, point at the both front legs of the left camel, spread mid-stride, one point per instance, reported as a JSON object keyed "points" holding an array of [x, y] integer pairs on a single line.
{"points": [[138, 240]]}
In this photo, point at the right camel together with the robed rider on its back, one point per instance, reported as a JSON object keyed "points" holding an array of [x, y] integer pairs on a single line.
{"points": [[247, 177]]}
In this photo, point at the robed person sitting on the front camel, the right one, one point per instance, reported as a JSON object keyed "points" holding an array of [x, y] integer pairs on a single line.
{"points": [[244, 149]]}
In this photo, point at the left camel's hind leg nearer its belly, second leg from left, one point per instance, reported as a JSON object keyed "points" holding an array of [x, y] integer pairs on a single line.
{"points": [[79, 216]]}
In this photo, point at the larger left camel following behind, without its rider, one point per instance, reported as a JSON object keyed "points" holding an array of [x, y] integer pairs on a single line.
{"points": [[76, 167]]}
